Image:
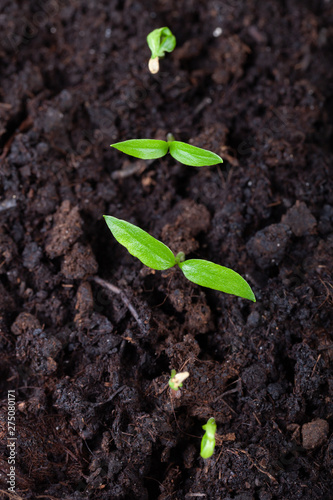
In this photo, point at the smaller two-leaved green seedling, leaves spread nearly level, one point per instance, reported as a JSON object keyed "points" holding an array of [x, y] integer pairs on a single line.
{"points": [[151, 149]]}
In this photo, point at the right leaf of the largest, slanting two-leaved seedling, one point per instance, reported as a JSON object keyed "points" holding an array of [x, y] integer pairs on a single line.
{"points": [[210, 275]]}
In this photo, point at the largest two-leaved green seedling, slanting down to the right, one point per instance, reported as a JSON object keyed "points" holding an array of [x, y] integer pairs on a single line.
{"points": [[156, 255]]}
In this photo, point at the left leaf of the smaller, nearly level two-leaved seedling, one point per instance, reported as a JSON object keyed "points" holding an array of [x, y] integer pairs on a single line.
{"points": [[145, 149]]}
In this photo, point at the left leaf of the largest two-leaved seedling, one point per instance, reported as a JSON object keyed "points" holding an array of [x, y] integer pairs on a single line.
{"points": [[146, 248]]}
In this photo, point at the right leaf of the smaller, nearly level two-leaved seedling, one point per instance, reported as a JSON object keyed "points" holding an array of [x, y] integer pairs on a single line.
{"points": [[193, 156]]}
